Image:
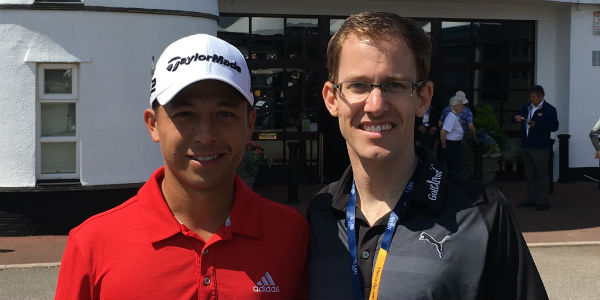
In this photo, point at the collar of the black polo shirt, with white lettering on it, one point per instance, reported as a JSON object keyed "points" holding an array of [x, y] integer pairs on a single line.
{"points": [[430, 185]]}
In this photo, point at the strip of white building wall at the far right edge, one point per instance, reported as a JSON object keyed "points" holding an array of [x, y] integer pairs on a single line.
{"points": [[584, 108]]}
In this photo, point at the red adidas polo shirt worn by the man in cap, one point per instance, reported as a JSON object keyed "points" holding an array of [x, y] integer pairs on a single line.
{"points": [[138, 250]]}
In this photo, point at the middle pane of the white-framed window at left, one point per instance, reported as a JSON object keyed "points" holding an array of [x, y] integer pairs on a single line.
{"points": [[58, 119]]}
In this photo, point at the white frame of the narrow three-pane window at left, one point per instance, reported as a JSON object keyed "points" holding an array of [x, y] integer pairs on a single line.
{"points": [[57, 98]]}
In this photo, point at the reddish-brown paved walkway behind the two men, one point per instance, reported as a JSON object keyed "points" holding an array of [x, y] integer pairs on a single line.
{"points": [[573, 218]]}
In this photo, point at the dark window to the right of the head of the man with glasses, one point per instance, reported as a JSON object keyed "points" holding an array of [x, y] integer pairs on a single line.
{"points": [[491, 61]]}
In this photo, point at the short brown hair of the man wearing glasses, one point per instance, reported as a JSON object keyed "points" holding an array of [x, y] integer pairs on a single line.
{"points": [[382, 26]]}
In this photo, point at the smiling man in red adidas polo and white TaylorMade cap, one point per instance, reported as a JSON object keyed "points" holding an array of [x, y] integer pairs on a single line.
{"points": [[194, 230]]}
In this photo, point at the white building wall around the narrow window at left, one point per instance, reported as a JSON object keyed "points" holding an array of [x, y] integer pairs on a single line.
{"points": [[115, 51]]}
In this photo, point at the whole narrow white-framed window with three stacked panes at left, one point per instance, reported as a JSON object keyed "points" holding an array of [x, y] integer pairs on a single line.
{"points": [[57, 121]]}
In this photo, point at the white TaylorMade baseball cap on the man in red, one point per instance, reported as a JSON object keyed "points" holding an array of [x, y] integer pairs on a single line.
{"points": [[199, 57]]}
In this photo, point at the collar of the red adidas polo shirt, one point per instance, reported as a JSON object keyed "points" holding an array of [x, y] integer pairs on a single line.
{"points": [[162, 224]]}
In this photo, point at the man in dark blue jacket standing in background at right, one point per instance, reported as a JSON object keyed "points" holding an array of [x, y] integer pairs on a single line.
{"points": [[538, 119]]}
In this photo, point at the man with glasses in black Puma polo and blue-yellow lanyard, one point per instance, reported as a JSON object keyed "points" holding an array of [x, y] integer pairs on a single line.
{"points": [[396, 226]]}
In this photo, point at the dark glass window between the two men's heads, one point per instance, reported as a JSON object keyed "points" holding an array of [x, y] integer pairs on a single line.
{"points": [[284, 55]]}
